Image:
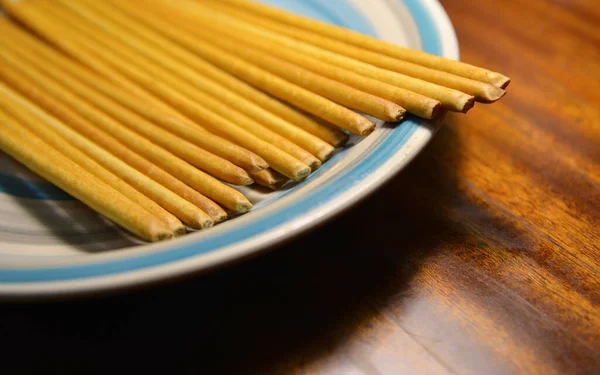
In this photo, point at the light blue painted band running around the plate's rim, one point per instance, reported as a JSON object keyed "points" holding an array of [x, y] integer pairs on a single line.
{"points": [[321, 195]]}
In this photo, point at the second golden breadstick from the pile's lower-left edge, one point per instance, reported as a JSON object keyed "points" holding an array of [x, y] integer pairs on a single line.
{"points": [[54, 140]]}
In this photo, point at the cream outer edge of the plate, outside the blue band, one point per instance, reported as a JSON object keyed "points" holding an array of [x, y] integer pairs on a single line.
{"points": [[260, 243]]}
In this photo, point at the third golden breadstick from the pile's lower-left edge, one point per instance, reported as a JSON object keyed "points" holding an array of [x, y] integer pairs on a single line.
{"points": [[184, 210]]}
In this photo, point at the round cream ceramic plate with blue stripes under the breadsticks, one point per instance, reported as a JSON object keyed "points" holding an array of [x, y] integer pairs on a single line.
{"points": [[52, 245]]}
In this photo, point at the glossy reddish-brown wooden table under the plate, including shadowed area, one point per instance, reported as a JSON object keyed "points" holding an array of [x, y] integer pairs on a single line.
{"points": [[485, 259]]}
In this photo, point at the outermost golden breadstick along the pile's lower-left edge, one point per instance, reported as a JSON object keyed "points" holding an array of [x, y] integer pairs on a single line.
{"points": [[47, 162]]}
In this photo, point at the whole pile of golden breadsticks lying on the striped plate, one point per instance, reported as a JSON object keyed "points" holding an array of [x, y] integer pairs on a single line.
{"points": [[149, 111]]}
